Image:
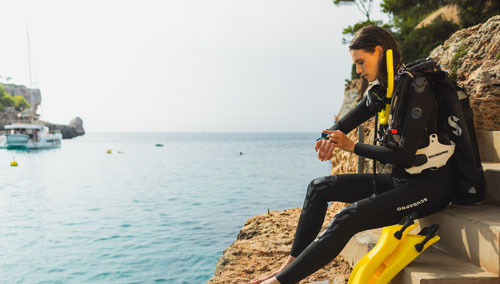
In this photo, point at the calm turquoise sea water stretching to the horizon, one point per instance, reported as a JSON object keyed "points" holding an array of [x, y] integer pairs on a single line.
{"points": [[146, 215]]}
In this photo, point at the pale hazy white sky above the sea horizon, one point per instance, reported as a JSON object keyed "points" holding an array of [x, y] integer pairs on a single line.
{"points": [[182, 65]]}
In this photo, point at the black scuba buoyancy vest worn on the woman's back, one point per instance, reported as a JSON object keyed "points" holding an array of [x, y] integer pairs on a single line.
{"points": [[453, 120]]}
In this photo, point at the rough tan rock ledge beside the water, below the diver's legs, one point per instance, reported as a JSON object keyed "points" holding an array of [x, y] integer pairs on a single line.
{"points": [[263, 245]]}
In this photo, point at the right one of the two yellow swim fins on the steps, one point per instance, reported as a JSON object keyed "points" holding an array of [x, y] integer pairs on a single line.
{"points": [[405, 253]]}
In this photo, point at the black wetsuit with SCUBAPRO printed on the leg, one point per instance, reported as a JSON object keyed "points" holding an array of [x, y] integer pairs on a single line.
{"points": [[399, 193]]}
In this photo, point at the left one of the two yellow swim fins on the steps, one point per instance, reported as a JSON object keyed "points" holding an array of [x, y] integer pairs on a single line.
{"points": [[389, 240]]}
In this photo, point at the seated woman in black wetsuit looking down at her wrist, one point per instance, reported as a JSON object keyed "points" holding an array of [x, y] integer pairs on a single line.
{"points": [[397, 192]]}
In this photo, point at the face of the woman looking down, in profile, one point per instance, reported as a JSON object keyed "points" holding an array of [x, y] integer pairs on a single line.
{"points": [[367, 62]]}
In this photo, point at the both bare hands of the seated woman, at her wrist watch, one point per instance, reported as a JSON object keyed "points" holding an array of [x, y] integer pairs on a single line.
{"points": [[336, 139]]}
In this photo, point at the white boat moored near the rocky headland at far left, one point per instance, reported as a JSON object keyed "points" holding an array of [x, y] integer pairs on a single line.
{"points": [[31, 136]]}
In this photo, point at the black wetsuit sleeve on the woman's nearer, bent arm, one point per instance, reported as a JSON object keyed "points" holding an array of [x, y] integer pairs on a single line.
{"points": [[420, 100]]}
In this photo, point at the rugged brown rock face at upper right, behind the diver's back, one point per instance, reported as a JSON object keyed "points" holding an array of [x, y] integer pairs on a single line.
{"points": [[473, 56]]}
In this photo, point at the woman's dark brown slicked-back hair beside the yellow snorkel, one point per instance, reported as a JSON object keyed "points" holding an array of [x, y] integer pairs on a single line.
{"points": [[367, 38]]}
